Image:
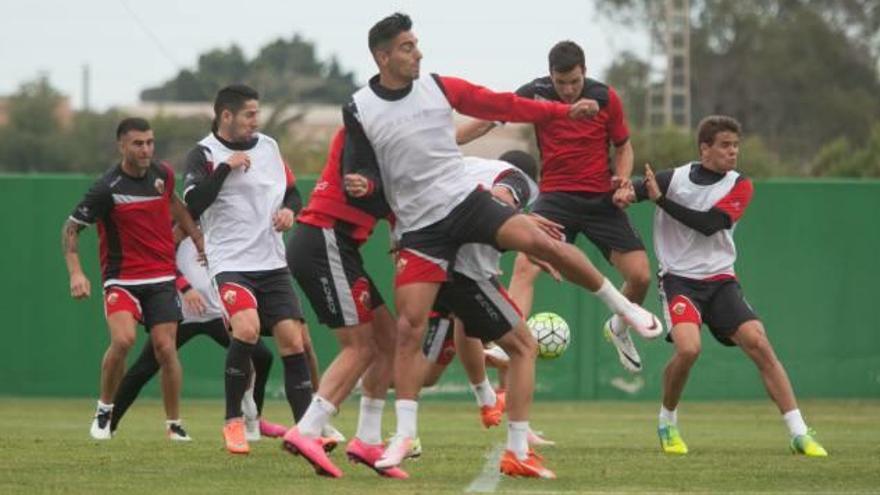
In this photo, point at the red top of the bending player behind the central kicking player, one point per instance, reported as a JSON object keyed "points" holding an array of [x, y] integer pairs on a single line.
{"points": [[329, 204]]}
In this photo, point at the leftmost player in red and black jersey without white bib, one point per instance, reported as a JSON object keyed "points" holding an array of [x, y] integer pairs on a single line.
{"points": [[133, 204]]}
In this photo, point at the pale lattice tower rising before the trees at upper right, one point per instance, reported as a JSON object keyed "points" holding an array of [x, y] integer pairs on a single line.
{"points": [[669, 81]]}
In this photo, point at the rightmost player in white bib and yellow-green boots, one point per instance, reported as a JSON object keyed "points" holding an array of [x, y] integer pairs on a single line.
{"points": [[698, 207]]}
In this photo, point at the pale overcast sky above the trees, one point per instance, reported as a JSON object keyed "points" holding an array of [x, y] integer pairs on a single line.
{"points": [[130, 45]]}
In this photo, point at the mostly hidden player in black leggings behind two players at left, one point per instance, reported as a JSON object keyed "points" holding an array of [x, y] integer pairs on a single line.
{"points": [[202, 315]]}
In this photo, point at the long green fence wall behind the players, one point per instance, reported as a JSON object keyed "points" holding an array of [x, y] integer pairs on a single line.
{"points": [[807, 262]]}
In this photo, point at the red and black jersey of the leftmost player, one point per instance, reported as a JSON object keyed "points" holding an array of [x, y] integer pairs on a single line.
{"points": [[134, 224]]}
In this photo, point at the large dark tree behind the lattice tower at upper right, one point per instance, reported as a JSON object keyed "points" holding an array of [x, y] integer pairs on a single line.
{"points": [[799, 73]]}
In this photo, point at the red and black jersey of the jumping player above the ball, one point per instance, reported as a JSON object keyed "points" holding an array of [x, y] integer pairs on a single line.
{"points": [[574, 153]]}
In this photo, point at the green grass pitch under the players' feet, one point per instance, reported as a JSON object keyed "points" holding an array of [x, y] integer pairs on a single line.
{"points": [[603, 447]]}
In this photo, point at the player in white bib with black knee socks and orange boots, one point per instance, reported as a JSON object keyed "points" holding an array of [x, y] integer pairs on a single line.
{"points": [[245, 195]]}
